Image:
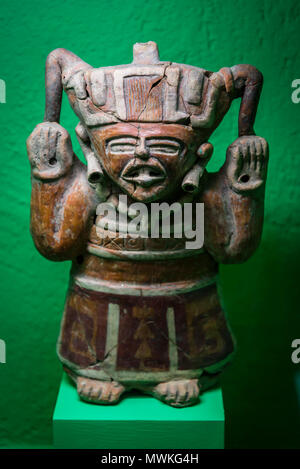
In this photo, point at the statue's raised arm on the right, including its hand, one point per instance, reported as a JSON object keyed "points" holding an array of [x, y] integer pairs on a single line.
{"points": [[234, 201]]}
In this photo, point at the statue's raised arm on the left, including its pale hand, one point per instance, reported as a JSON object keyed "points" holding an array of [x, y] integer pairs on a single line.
{"points": [[62, 202]]}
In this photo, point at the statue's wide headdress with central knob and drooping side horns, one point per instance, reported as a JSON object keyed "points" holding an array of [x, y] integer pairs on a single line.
{"points": [[149, 90]]}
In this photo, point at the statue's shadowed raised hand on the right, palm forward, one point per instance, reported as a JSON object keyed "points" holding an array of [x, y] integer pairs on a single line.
{"points": [[246, 163]]}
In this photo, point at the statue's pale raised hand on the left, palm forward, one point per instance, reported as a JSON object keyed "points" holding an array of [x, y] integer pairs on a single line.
{"points": [[50, 151]]}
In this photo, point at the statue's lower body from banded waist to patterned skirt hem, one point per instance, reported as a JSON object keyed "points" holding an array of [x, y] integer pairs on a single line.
{"points": [[142, 309]]}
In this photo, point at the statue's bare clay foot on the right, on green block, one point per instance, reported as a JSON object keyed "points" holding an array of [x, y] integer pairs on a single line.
{"points": [[180, 393]]}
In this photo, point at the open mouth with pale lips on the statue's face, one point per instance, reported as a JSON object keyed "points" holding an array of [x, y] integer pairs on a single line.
{"points": [[144, 174]]}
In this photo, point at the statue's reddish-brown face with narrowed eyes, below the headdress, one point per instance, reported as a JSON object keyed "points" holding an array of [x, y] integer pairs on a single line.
{"points": [[146, 160]]}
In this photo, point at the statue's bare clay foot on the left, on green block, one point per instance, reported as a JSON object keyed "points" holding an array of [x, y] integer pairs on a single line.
{"points": [[99, 392]]}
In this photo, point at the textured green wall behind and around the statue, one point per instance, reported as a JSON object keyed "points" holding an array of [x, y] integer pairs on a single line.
{"points": [[262, 295]]}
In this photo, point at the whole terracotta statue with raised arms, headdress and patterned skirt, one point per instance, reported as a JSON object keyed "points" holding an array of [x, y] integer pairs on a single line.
{"points": [[143, 312]]}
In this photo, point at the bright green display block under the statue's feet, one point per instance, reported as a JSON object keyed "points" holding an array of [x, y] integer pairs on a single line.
{"points": [[138, 421]]}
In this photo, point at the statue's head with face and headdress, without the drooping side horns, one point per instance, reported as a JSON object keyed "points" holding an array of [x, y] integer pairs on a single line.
{"points": [[146, 121]]}
